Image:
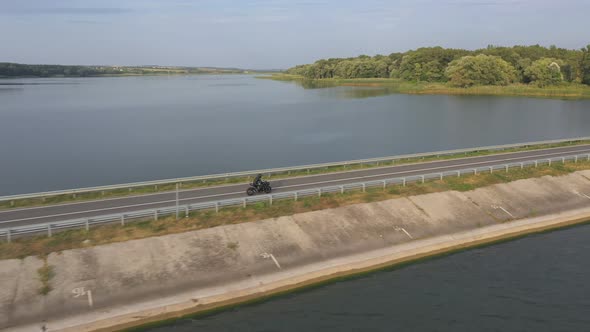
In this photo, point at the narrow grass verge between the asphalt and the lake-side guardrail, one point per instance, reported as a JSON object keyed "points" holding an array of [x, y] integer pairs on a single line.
{"points": [[59, 199]]}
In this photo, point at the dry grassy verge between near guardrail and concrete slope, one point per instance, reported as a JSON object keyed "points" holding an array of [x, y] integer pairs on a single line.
{"points": [[42, 245]]}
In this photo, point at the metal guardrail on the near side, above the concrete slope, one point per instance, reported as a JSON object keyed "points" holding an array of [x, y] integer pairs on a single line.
{"points": [[123, 218]]}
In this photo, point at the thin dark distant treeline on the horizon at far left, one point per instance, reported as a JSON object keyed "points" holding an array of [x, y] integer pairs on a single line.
{"points": [[22, 70]]}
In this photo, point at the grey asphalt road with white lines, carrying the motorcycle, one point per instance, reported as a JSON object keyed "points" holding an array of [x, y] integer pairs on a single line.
{"points": [[28, 216]]}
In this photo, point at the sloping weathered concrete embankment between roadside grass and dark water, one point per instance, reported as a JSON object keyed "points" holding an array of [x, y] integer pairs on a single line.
{"points": [[157, 278]]}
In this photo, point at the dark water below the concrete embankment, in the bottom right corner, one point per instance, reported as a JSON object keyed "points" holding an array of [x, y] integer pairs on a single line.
{"points": [[538, 283]]}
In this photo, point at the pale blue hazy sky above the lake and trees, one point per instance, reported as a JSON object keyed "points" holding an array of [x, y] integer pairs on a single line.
{"points": [[273, 34]]}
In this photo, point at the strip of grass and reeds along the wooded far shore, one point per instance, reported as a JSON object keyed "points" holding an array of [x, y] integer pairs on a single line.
{"points": [[565, 90]]}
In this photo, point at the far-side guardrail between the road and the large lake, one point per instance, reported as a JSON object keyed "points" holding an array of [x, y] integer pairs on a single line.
{"points": [[281, 170]]}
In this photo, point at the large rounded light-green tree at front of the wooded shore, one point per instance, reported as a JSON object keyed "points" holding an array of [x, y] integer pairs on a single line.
{"points": [[480, 70]]}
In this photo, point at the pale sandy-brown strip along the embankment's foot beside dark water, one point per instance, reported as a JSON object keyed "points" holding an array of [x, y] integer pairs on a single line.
{"points": [[344, 267]]}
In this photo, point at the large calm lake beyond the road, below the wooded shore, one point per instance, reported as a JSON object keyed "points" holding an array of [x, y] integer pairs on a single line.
{"points": [[75, 132]]}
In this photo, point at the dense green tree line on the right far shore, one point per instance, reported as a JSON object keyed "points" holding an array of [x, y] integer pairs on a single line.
{"points": [[494, 65]]}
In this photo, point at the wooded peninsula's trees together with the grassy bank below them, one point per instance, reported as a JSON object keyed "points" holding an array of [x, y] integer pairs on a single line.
{"points": [[518, 70]]}
